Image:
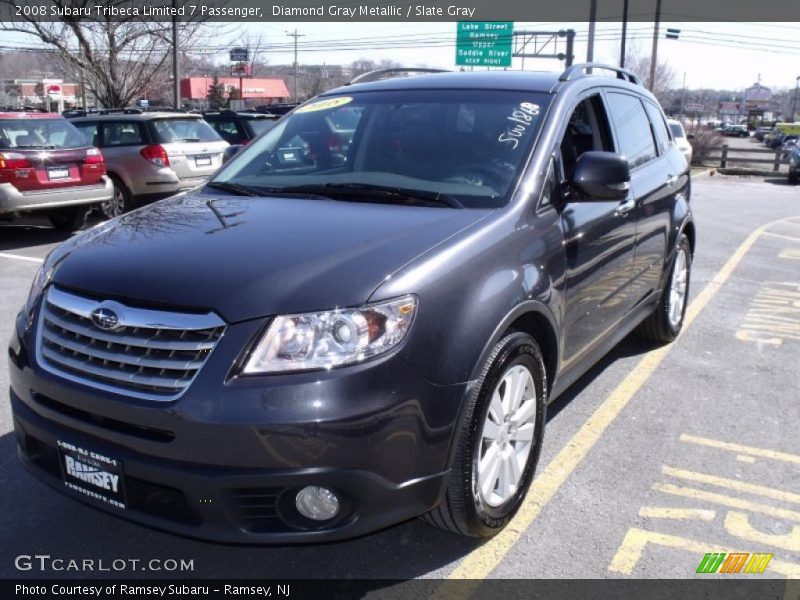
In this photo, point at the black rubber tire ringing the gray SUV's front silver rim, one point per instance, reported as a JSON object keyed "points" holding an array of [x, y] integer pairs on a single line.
{"points": [[517, 349]]}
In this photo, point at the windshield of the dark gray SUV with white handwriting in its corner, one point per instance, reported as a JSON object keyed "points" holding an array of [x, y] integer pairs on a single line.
{"points": [[467, 145]]}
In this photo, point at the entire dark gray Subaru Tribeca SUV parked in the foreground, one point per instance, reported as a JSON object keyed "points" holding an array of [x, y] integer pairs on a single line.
{"points": [[349, 327]]}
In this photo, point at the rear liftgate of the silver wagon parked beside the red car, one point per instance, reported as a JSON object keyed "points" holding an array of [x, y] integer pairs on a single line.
{"points": [[194, 148]]}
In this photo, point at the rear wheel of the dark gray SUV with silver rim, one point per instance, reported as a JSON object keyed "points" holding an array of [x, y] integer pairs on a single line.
{"points": [[666, 321]]}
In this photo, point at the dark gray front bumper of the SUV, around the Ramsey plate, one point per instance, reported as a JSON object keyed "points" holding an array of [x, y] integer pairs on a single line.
{"points": [[225, 461]]}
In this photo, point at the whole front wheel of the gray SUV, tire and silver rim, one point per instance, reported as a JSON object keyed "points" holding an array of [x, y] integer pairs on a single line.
{"points": [[475, 503]]}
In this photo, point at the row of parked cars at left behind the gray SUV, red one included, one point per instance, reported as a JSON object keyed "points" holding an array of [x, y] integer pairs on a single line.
{"points": [[115, 159]]}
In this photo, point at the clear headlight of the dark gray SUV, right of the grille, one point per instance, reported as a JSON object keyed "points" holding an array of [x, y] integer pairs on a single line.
{"points": [[323, 340]]}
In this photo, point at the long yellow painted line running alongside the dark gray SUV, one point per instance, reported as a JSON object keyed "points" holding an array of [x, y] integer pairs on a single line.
{"points": [[479, 563]]}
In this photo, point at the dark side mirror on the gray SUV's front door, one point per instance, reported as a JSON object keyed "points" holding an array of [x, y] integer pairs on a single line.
{"points": [[602, 176]]}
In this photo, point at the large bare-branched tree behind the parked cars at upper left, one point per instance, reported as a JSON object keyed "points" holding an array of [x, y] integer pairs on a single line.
{"points": [[116, 56]]}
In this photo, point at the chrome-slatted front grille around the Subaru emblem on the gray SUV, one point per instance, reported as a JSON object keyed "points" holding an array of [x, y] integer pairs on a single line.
{"points": [[149, 354]]}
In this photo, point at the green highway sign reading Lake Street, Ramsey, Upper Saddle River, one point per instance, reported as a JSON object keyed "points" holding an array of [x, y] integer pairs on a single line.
{"points": [[484, 43]]}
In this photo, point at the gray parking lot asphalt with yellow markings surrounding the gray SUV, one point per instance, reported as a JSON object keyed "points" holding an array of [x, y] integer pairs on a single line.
{"points": [[654, 458]]}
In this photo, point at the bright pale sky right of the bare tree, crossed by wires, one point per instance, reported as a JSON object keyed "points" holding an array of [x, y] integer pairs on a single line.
{"points": [[714, 55]]}
